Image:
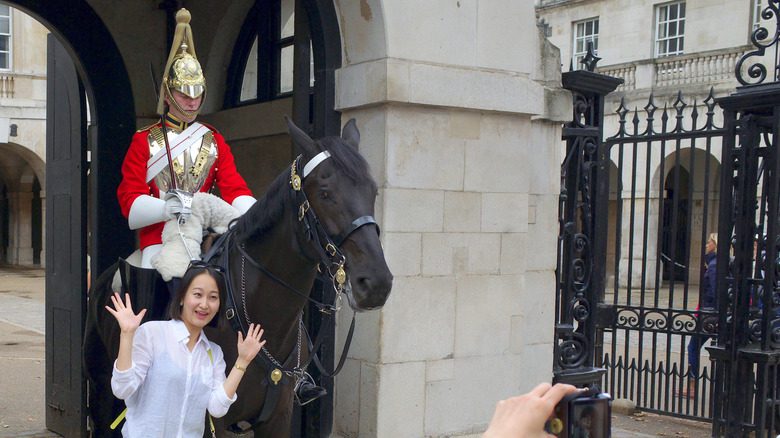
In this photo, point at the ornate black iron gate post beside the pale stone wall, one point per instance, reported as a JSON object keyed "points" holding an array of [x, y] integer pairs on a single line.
{"points": [[581, 262]]}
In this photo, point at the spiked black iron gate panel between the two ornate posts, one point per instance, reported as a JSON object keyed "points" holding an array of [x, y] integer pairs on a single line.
{"points": [[664, 165]]}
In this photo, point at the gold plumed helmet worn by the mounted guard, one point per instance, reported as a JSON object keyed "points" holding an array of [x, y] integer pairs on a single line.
{"points": [[182, 72]]}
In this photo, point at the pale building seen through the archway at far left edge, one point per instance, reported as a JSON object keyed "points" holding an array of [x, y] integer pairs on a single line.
{"points": [[22, 137]]}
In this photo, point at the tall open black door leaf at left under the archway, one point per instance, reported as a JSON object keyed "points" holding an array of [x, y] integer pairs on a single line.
{"points": [[65, 244]]}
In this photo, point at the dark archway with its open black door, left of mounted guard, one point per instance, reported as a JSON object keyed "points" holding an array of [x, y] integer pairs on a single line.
{"points": [[83, 61]]}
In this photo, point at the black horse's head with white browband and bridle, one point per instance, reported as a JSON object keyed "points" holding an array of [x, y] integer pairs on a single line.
{"points": [[341, 191]]}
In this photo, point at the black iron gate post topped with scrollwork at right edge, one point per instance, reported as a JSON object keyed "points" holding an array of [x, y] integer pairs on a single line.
{"points": [[747, 394]]}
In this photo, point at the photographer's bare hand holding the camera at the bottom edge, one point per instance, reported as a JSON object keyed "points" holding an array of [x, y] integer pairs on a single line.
{"points": [[525, 415]]}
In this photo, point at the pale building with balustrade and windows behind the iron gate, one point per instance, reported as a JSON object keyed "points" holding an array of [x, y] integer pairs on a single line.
{"points": [[658, 48]]}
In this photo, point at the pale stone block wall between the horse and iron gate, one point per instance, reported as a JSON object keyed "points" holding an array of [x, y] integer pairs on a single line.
{"points": [[459, 112]]}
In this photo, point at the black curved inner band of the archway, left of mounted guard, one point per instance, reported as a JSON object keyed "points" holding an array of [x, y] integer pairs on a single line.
{"points": [[107, 86]]}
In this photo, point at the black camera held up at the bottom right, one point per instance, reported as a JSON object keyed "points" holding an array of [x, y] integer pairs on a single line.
{"points": [[582, 415]]}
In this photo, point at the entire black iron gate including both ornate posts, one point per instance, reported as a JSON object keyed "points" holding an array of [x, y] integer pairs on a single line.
{"points": [[635, 213]]}
